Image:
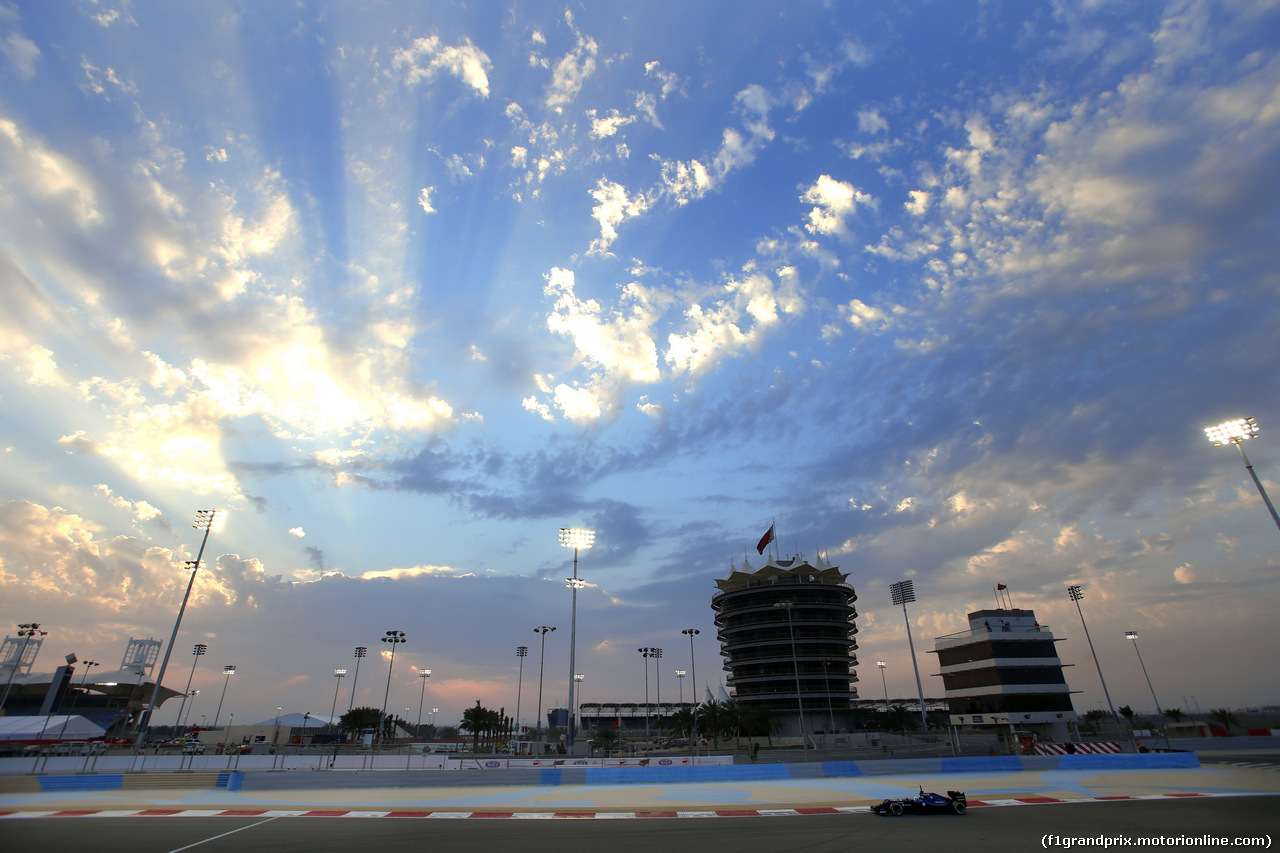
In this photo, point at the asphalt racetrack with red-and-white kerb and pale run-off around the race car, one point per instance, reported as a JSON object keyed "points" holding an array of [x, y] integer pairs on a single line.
{"points": [[1236, 800]]}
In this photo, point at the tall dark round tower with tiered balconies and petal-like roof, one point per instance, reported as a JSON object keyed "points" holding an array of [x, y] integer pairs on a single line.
{"points": [[792, 659]]}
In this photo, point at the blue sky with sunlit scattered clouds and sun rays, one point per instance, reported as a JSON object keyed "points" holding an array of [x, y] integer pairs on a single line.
{"points": [[945, 291]]}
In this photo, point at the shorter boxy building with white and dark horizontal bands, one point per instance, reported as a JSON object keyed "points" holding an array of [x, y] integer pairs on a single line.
{"points": [[1005, 673]]}
